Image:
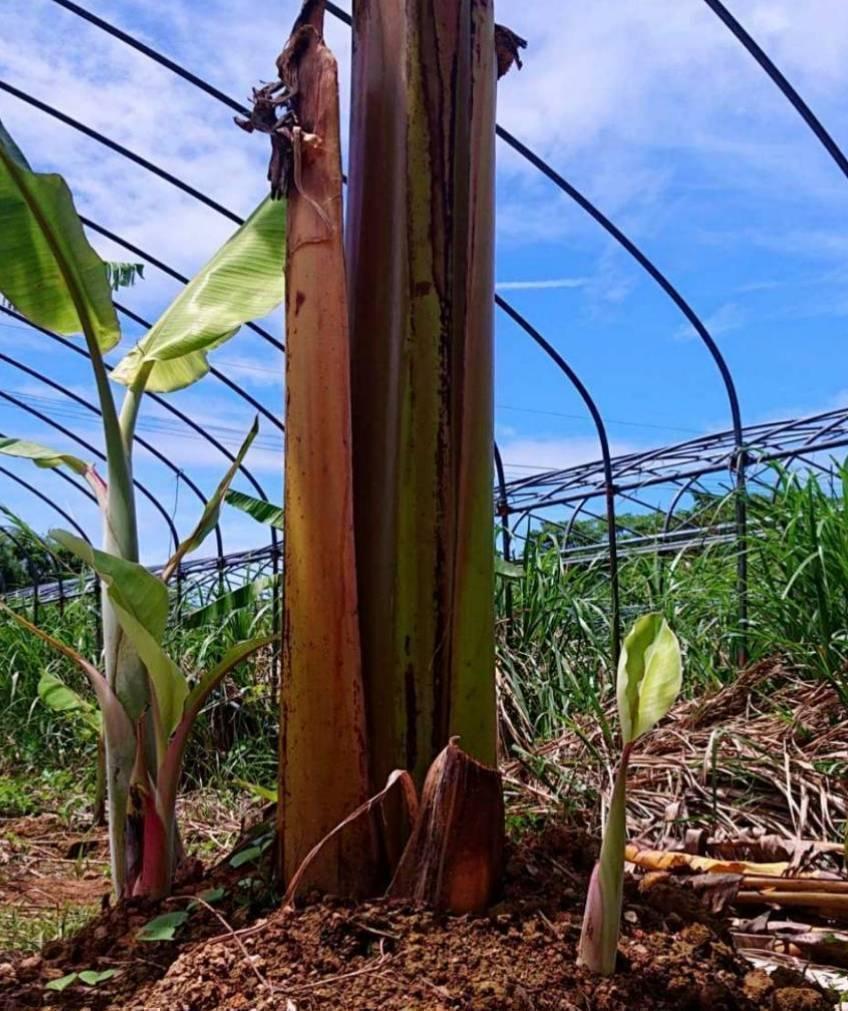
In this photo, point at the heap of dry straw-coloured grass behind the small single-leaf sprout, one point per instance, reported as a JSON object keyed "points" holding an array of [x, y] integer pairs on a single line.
{"points": [[768, 760]]}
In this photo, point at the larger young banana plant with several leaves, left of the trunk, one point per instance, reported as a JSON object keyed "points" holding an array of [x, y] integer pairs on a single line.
{"points": [[54, 278]]}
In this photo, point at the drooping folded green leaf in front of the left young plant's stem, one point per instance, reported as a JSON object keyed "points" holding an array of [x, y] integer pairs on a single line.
{"points": [[141, 603]]}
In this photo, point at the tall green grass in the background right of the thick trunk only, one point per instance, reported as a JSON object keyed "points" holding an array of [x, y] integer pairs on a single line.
{"points": [[554, 650]]}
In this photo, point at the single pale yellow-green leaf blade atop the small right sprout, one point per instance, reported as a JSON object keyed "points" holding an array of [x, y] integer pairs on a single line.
{"points": [[650, 675]]}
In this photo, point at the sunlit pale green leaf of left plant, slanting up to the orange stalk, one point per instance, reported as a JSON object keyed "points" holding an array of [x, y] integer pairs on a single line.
{"points": [[243, 282]]}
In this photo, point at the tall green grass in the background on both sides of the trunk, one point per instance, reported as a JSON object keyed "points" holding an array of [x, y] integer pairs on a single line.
{"points": [[553, 648]]}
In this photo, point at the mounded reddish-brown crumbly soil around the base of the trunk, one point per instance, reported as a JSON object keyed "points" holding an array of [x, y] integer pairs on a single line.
{"points": [[391, 957]]}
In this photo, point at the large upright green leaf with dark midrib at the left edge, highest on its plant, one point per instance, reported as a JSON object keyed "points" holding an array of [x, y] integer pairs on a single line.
{"points": [[48, 269]]}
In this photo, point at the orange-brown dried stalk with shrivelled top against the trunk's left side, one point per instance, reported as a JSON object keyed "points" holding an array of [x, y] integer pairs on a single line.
{"points": [[324, 769]]}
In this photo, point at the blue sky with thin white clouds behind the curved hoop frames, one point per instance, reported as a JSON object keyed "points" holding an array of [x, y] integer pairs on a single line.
{"points": [[649, 108]]}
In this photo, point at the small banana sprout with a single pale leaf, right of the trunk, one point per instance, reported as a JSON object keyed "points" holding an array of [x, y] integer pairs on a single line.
{"points": [[650, 675]]}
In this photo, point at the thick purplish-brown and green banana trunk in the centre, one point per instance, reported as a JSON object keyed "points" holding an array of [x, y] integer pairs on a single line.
{"points": [[421, 236]]}
